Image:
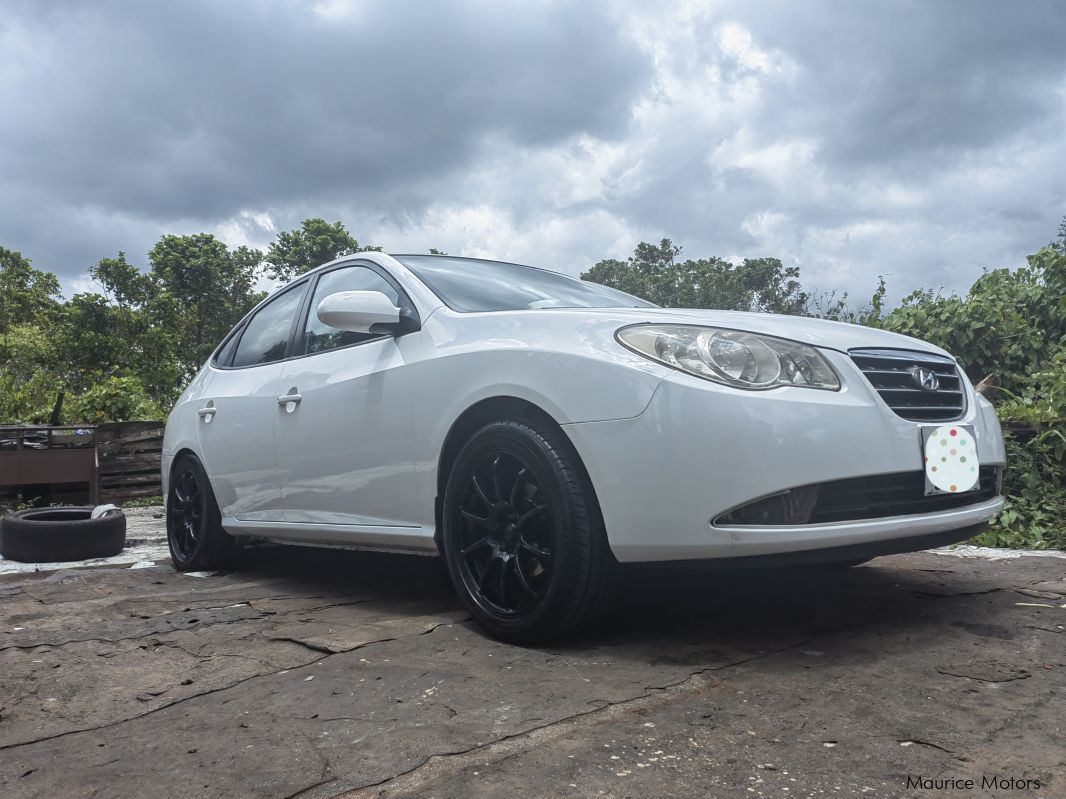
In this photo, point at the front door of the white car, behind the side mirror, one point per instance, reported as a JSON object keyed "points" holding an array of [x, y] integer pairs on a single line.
{"points": [[345, 451]]}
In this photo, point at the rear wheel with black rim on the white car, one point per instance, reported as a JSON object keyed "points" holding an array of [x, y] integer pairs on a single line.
{"points": [[195, 532]]}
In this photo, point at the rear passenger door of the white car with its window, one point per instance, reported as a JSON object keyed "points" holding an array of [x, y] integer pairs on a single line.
{"points": [[239, 411]]}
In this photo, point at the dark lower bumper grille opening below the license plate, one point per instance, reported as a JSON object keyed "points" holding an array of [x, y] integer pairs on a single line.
{"points": [[902, 494]]}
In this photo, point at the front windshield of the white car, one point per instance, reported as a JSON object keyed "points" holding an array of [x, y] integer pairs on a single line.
{"points": [[472, 285]]}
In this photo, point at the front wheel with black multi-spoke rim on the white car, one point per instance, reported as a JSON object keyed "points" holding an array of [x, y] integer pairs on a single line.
{"points": [[528, 576]]}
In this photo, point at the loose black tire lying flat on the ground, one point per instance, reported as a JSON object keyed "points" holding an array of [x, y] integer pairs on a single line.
{"points": [[61, 534]]}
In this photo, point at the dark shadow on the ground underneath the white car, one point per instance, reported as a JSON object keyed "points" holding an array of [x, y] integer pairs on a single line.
{"points": [[666, 615]]}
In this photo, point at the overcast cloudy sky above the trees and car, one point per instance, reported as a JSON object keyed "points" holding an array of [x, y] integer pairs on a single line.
{"points": [[920, 141]]}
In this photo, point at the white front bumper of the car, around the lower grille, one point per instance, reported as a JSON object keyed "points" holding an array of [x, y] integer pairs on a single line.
{"points": [[701, 449]]}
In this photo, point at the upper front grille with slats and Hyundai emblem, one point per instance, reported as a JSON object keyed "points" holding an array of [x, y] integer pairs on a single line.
{"points": [[895, 373]]}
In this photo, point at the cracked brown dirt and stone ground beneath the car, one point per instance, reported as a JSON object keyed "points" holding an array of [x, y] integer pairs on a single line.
{"points": [[318, 674]]}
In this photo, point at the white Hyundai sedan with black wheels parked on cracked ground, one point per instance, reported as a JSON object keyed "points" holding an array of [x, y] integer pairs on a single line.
{"points": [[539, 431]]}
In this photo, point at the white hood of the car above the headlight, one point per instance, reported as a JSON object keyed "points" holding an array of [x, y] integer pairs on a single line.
{"points": [[815, 332]]}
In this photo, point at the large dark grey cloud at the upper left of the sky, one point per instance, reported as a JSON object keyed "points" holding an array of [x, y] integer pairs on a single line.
{"points": [[196, 110]]}
